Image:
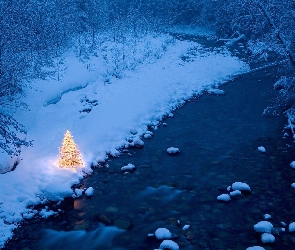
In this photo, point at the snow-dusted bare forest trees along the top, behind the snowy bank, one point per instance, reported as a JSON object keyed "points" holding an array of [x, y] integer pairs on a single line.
{"points": [[33, 33]]}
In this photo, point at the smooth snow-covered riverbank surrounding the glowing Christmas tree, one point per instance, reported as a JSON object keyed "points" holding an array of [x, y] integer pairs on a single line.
{"points": [[102, 118]]}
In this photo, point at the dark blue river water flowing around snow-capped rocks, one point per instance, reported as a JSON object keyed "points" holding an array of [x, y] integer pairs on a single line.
{"points": [[218, 137]]}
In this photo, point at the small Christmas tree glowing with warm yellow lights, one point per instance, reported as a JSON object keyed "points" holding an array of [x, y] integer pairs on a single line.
{"points": [[69, 154]]}
